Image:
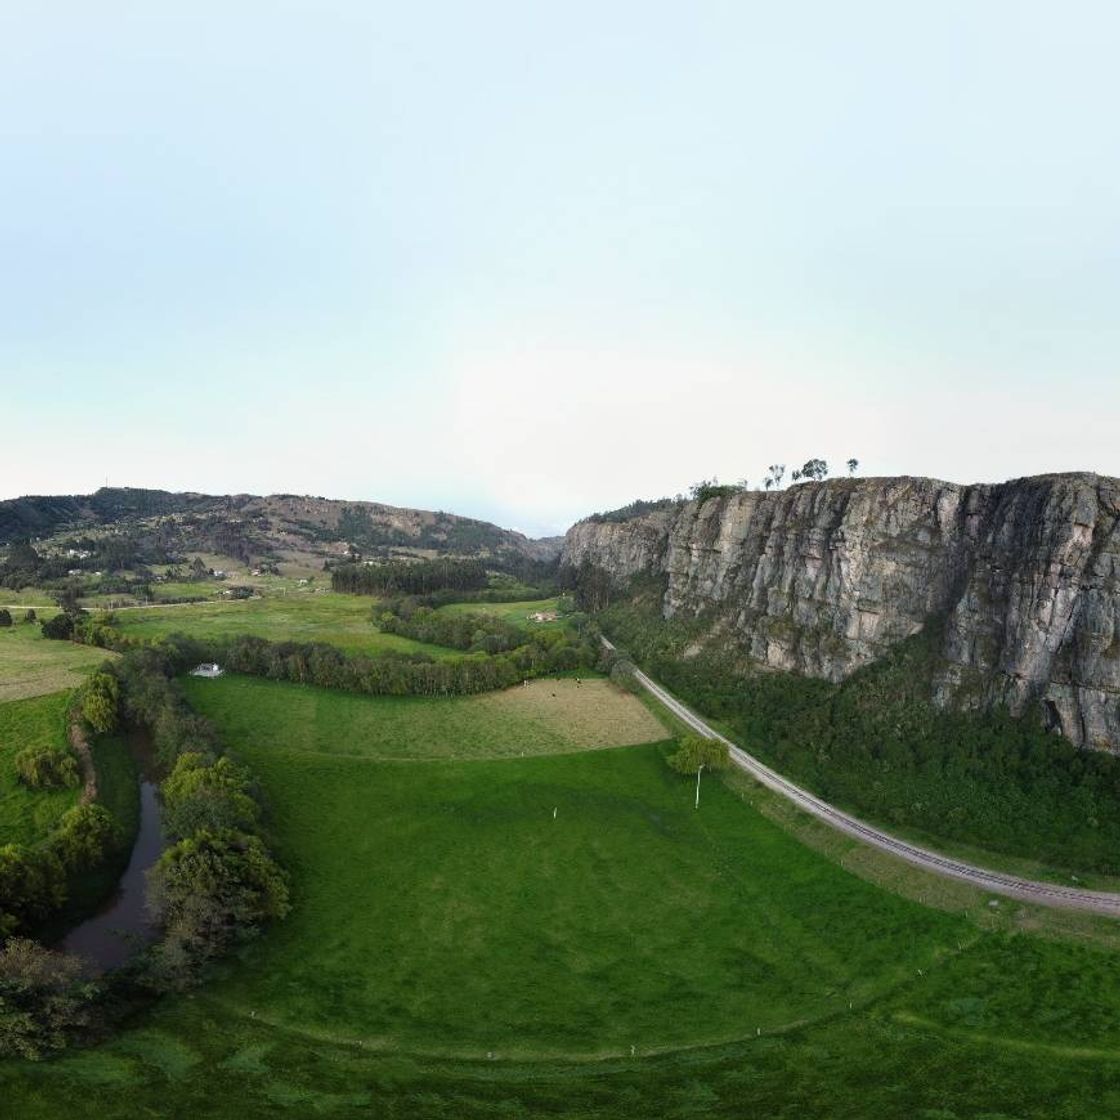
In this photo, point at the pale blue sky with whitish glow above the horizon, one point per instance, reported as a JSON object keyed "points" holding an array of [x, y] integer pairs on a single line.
{"points": [[527, 262]]}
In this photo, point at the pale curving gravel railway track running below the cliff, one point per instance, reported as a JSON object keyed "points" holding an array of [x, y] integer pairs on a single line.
{"points": [[1047, 894]]}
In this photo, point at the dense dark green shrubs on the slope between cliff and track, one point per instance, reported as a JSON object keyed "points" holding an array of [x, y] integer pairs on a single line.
{"points": [[876, 745]]}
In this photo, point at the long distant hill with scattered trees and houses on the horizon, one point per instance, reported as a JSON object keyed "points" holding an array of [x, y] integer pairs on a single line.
{"points": [[246, 526]]}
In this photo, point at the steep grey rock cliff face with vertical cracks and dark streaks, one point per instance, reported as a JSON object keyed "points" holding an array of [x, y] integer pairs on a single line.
{"points": [[825, 577]]}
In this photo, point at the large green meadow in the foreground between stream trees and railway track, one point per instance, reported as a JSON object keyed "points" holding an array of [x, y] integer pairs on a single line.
{"points": [[459, 951]]}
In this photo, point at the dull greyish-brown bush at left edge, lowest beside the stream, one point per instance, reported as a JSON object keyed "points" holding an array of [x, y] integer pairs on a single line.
{"points": [[43, 1000]]}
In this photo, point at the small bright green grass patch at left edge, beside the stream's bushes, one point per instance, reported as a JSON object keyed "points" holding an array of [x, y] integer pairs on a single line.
{"points": [[27, 816]]}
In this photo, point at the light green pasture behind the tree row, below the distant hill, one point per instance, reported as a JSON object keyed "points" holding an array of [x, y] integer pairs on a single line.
{"points": [[295, 617]]}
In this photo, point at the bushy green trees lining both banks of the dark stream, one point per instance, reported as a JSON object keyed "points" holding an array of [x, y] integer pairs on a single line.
{"points": [[217, 883]]}
